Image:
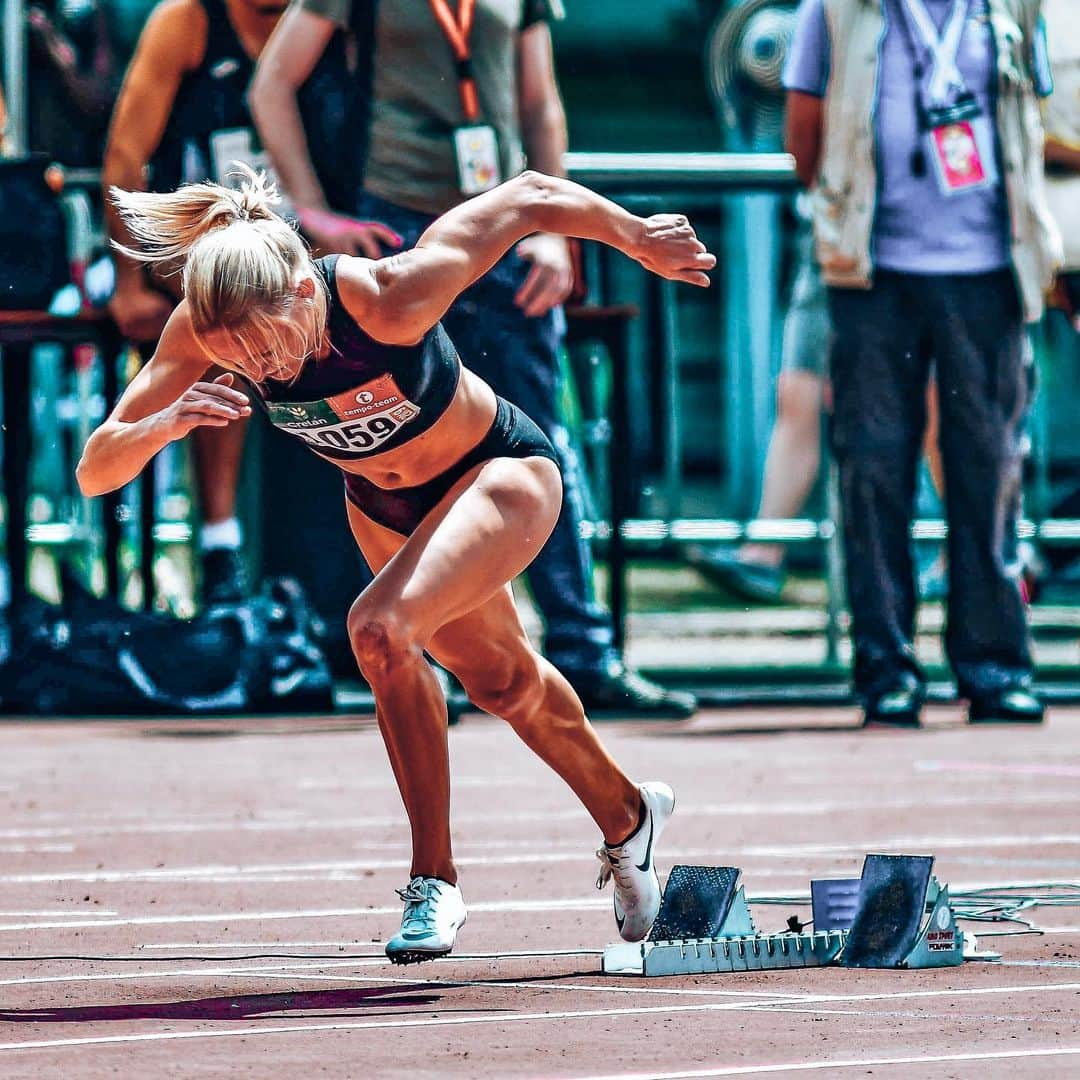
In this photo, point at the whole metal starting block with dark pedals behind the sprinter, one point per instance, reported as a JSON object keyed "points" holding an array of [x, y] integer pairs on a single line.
{"points": [[897, 915]]}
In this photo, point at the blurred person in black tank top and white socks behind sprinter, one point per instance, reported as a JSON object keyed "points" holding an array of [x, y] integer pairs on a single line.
{"points": [[182, 117]]}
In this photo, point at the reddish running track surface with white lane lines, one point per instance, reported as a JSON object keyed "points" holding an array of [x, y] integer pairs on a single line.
{"points": [[210, 899]]}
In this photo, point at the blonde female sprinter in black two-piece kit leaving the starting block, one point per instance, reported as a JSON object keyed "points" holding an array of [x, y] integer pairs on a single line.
{"points": [[451, 491]]}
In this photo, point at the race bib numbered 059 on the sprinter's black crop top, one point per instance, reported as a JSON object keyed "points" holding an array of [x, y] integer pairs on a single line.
{"points": [[354, 424]]}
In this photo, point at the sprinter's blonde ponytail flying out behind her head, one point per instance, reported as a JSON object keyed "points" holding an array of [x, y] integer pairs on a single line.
{"points": [[167, 226]]}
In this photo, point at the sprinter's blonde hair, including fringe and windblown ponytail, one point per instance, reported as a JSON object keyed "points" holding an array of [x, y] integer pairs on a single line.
{"points": [[240, 266]]}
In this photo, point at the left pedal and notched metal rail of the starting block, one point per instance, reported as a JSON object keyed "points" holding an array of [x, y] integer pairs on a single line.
{"points": [[705, 927]]}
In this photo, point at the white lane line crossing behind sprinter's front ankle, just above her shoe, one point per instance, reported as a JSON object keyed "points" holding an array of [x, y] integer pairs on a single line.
{"points": [[214, 872]]}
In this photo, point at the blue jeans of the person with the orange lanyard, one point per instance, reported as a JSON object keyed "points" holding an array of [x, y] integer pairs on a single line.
{"points": [[519, 358]]}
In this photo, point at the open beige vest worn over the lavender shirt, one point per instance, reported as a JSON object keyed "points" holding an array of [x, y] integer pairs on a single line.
{"points": [[844, 197]]}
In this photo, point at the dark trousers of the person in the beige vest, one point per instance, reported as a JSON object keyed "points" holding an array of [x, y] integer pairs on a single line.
{"points": [[885, 340]]}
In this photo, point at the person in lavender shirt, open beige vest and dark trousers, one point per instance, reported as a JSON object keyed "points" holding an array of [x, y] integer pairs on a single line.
{"points": [[916, 129]]}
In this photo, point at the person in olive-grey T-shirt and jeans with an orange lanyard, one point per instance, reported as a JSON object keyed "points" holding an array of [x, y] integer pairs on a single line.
{"points": [[464, 96]]}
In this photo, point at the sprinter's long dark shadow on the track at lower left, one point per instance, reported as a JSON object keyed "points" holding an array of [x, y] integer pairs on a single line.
{"points": [[298, 1004]]}
